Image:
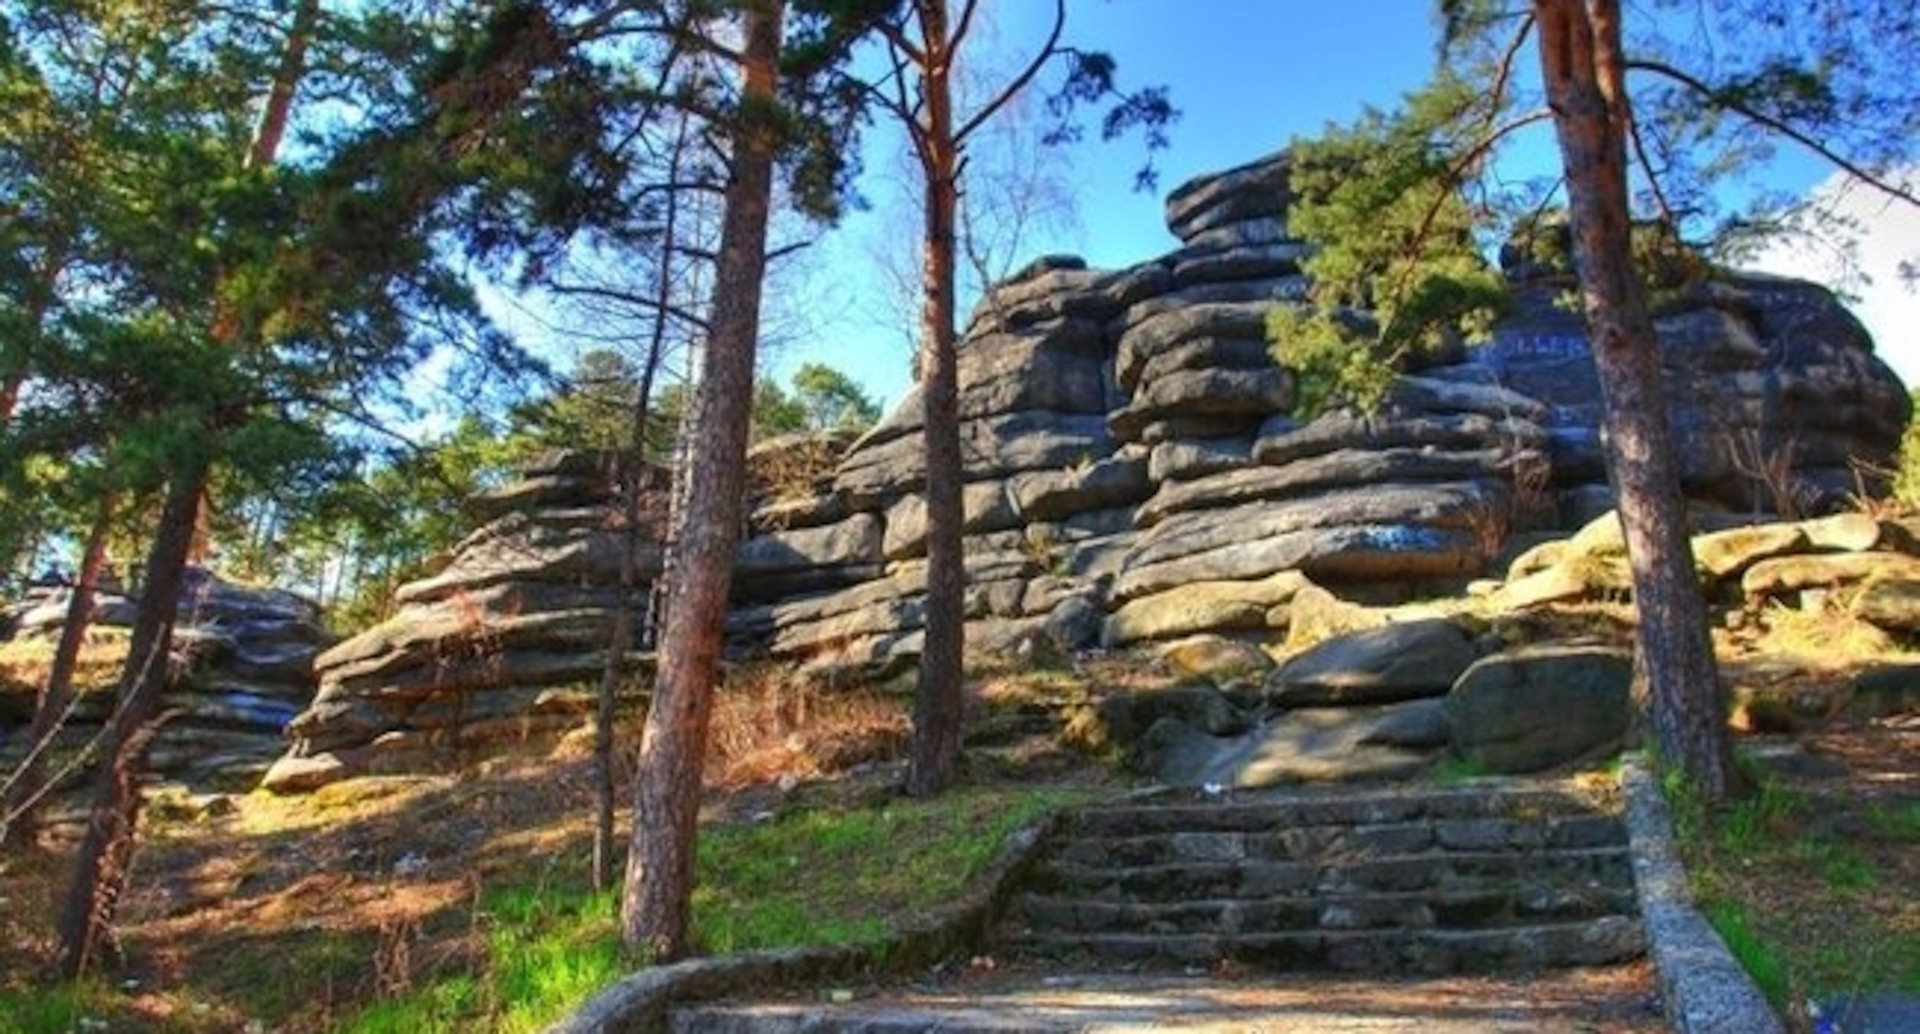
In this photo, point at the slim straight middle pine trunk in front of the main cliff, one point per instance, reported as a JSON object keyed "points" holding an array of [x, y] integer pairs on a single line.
{"points": [[938, 699]]}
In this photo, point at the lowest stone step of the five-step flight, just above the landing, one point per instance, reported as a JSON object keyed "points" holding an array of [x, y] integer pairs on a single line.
{"points": [[1602, 941]]}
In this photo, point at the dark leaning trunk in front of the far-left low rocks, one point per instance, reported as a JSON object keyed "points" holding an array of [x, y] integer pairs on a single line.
{"points": [[103, 866]]}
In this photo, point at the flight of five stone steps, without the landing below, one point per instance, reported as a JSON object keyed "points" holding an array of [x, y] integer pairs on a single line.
{"points": [[1383, 881]]}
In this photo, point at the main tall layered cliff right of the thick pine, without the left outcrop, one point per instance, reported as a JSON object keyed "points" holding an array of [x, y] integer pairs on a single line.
{"points": [[1132, 438]]}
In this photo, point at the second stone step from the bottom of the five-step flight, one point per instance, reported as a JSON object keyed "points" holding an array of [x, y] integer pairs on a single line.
{"points": [[1483, 908]]}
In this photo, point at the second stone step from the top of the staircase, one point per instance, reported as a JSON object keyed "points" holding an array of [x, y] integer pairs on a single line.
{"points": [[1345, 841]]}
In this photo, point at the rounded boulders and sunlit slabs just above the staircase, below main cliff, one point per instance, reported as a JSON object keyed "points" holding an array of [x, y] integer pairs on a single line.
{"points": [[1474, 682]]}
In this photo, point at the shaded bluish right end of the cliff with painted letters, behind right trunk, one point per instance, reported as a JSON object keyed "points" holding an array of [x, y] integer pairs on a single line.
{"points": [[1775, 394]]}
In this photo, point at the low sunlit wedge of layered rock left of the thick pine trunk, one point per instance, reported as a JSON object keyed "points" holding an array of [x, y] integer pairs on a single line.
{"points": [[491, 655]]}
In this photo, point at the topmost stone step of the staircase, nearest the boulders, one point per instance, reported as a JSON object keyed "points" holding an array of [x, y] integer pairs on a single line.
{"points": [[1272, 812]]}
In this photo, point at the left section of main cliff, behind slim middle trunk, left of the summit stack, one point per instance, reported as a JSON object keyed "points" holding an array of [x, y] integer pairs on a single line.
{"points": [[1047, 490]]}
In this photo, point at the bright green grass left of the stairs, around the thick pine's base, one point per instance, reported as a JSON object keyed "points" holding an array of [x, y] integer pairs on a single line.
{"points": [[809, 878]]}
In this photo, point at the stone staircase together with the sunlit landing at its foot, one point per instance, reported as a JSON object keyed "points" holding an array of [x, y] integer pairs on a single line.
{"points": [[1166, 912]]}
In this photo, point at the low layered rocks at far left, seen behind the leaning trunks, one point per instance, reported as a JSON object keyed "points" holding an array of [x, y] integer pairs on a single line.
{"points": [[243, 669]]}
